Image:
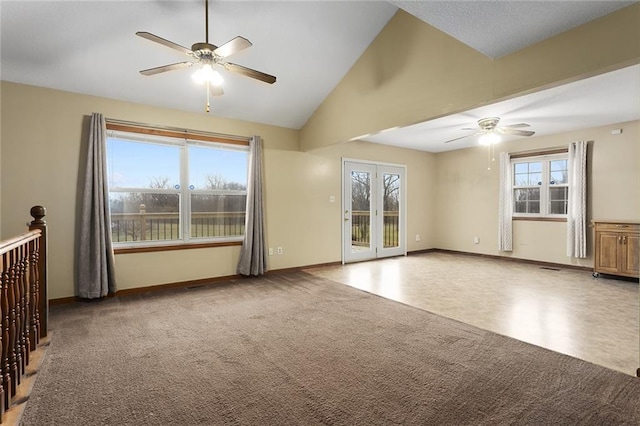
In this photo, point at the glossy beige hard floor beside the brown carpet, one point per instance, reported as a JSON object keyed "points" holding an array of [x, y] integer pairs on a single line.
{"points": [[564, 310]]}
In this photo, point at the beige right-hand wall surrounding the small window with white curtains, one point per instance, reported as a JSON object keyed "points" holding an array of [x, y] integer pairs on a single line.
{"points": [[467, 194]]}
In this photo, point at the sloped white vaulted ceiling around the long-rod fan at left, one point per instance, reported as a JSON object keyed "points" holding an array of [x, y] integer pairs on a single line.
{"points": [[91, 47]]}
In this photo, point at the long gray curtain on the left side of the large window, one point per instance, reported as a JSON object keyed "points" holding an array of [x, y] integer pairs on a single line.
{"points": [[96, 271]]}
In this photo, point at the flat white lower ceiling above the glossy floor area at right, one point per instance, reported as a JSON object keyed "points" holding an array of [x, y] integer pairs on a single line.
{"points": [[597, 101]]}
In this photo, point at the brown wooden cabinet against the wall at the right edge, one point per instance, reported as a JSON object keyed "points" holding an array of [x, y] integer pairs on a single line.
{"points": [[617, 248]]}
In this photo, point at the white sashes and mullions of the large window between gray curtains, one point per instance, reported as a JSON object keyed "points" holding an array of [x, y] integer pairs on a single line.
{"points": [[184, 192]]}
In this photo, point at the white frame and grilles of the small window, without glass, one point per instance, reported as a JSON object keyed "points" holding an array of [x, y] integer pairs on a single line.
{"points": [[545, 187]]}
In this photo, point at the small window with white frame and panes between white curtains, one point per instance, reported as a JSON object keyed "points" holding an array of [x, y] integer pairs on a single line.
{"points": [[540, 186]]}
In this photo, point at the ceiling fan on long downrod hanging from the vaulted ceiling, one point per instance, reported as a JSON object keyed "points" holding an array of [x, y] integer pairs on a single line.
{"points": [[207, 56]]}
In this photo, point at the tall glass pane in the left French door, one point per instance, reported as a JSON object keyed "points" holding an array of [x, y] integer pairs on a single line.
{"points": [[360, 211]]}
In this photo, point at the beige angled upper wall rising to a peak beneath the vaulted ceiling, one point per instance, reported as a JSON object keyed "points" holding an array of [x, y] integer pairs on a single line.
{"points": [[410, 72]]}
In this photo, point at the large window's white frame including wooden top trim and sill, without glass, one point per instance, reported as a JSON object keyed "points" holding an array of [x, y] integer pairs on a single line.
{"points": [[182, 139]]}
